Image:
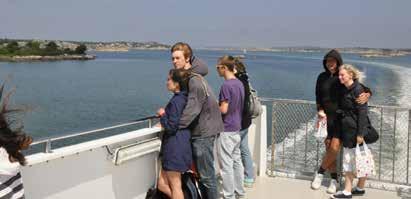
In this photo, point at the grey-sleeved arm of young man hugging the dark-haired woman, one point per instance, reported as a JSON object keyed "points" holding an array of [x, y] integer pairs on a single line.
{"points": [[196, 98]]}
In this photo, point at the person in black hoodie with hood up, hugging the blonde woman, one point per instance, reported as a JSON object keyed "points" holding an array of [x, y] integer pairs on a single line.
{"points": [[327, 92]]}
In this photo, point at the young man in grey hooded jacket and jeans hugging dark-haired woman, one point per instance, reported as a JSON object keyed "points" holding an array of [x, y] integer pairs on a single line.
{"points": [[201, 115]]}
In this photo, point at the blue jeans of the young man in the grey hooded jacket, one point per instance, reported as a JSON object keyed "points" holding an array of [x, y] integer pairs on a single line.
{"points": [[203, 157]]}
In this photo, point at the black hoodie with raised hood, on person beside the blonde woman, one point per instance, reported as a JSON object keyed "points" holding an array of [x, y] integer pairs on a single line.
{"points": [[328, 86]]}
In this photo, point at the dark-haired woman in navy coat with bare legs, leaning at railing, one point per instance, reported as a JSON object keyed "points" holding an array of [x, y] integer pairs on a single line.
{"points": [[176, 154]]}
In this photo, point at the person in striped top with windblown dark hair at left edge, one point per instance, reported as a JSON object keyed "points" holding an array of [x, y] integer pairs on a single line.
{"points": [[12, 141]]}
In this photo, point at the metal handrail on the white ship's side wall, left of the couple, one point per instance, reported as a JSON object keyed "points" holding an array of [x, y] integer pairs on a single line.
{"points": [[47, 141]]}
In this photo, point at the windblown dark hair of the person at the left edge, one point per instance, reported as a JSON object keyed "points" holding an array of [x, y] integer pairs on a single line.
{"points": [[13, 140]]}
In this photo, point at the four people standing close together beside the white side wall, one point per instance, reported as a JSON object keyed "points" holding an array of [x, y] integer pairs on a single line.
{"points": [[195, 121]]}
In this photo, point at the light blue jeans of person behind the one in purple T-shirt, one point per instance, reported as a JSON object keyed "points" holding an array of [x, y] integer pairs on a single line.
{"points": [[246, 156]]}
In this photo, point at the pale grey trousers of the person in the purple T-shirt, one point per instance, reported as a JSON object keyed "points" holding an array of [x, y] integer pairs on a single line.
{"points": [[232, 170]]}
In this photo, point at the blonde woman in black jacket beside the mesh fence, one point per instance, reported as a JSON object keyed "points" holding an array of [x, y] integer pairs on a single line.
{"points": [[354, 124]]}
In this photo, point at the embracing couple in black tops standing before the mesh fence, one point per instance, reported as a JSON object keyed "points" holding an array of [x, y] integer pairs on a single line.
{"points": [[341, 100]]}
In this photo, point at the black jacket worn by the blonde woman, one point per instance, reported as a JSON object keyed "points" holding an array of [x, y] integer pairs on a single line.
{"points": [[354, 116]]}
